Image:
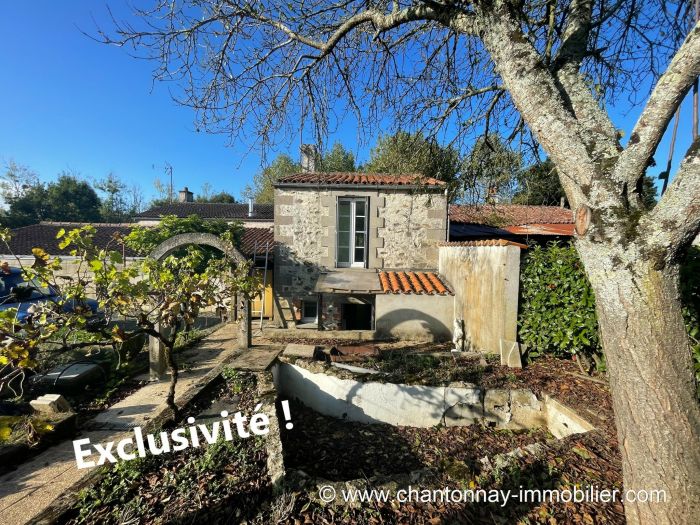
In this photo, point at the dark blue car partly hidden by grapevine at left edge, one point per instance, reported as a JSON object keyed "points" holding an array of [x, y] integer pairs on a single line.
{"points": [[15, 292]]}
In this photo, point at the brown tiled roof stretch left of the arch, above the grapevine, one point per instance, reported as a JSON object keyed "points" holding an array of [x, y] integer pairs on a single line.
{"points": [[43, 235]]}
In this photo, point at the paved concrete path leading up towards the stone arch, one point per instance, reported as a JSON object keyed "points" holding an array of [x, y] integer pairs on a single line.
{"points": [[29, 490]]}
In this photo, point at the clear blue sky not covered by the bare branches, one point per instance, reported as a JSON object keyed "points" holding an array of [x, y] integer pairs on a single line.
{"points": [[69, 103]]}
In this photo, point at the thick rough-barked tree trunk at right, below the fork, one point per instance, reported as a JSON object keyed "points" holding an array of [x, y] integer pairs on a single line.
{"points": [[651, 377]]}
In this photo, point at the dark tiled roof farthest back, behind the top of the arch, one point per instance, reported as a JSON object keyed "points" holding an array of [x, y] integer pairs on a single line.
{"points": [[210, 210]]}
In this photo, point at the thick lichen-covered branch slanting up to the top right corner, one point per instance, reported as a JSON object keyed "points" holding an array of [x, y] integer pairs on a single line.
{"points": [[663, 102]]}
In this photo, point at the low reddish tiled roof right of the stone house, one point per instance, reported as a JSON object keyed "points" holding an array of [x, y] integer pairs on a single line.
{"points": [[502, 215]]}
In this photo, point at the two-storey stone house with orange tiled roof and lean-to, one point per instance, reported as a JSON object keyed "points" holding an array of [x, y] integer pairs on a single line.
{"points": [[359, 251]]}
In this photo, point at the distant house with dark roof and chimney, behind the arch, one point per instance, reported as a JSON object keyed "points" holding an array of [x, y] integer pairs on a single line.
{"points": [[253, 215]]}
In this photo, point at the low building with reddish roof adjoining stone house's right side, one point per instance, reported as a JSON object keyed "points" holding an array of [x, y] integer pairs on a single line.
{"points": [[514, 222]]}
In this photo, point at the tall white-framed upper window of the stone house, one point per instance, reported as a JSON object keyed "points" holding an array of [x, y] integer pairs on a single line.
{"points": [[351, 236]]}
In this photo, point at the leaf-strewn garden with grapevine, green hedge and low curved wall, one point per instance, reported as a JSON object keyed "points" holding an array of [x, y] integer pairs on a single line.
{"points": [[410, 414]]}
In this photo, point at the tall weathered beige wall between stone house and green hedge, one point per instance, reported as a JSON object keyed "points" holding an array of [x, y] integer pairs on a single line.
{"points": [[485, 280]]}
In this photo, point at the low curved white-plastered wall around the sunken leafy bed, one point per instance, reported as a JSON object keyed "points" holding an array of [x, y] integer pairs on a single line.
{"points": [[424, 406]]}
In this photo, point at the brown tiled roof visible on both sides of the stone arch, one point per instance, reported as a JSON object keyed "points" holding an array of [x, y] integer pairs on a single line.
{"points": [[43, 235]]}
